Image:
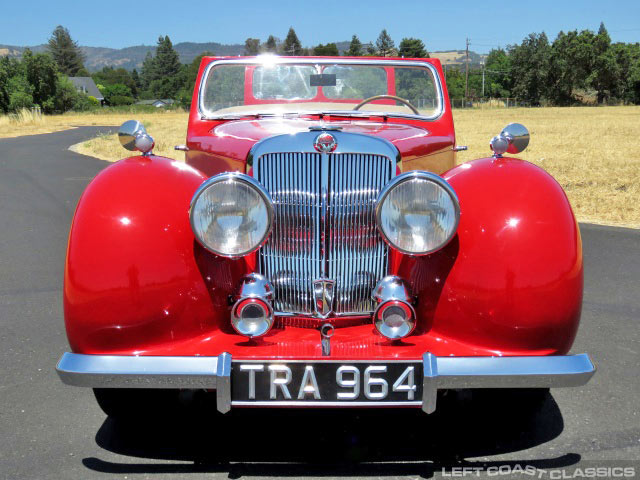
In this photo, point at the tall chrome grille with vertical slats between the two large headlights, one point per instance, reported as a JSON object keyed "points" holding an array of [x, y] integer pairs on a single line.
{"points": [[324, 227]]}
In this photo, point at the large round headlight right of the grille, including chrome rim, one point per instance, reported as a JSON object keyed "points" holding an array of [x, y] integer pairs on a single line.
{"points": [[417, 212]]}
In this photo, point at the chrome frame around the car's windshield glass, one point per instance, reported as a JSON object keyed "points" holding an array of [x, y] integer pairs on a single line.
{"points": [[334, 61]]}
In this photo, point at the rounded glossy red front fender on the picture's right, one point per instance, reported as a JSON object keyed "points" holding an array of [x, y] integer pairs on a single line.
{"points": [[512, 277]]}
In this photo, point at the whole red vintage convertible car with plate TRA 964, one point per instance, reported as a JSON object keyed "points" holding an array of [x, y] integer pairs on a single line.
{"points": [[321, 248]]}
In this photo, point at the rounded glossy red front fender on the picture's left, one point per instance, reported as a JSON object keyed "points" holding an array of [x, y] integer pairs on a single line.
{"points": [[134, 276]]}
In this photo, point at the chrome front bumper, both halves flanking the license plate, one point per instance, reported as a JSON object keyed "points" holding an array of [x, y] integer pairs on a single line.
{"points": [[214, 373]]}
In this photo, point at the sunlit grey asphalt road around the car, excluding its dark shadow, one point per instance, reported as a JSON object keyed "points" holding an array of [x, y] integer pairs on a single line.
{"points": [[48, 430]]}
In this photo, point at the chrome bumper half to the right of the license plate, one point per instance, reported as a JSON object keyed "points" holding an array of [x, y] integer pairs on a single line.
{"points": [[551, 371]]}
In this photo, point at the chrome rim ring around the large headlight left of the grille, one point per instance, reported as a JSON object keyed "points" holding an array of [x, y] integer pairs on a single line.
{"points": [[252, 183]]}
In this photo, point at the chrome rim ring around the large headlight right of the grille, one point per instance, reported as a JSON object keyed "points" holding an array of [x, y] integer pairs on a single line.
{"points": [[408, 176]]}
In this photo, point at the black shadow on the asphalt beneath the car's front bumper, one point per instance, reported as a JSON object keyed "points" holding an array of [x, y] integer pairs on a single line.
{"points": [[266, 442]]}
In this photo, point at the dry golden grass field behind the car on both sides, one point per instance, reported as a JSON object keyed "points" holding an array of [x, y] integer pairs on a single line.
{"points": [[592, 151]]}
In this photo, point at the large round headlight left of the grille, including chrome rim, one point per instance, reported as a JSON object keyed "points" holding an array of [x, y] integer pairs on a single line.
{"points": [[231, 214]]}
